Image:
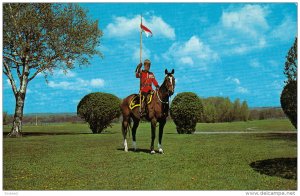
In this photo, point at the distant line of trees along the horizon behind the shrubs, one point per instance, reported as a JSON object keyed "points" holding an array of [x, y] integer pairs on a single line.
{"points": [[215, 109]]}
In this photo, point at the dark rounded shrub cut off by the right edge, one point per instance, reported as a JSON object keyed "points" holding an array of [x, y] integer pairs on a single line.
{"points": [[288, 100]]}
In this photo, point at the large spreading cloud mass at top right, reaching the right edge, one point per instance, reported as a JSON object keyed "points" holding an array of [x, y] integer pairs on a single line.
{"points": [[245, 28]]}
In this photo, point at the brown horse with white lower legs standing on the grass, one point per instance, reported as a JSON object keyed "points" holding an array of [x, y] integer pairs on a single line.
{"points": [[158, 110]]}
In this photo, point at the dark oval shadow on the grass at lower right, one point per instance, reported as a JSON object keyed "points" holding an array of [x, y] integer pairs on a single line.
{"points": [[280, 167]]}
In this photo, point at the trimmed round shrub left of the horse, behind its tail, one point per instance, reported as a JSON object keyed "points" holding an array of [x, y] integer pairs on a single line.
{"points": [[99, 110]]}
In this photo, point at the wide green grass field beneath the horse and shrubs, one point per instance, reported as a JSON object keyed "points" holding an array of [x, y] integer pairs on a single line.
{"points": [[69, 157]]}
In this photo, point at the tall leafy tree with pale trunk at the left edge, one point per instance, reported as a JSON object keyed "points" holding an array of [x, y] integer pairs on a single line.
{"points": [[39, 38]]}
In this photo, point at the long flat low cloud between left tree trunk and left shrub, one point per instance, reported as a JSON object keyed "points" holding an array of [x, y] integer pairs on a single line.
{"points": [[79, 84]]}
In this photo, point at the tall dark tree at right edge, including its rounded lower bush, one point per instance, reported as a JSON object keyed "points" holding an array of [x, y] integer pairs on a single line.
{"points": [[288, 98]]}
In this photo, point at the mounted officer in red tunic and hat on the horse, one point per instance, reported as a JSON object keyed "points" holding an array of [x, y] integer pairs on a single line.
{"points": [[147, 78]]}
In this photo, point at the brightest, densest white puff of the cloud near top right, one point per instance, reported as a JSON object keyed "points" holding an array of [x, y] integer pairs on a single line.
{"points": [[250, 19]]}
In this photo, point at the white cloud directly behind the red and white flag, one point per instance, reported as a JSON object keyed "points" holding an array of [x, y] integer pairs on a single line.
{"points": [[124, 27]]}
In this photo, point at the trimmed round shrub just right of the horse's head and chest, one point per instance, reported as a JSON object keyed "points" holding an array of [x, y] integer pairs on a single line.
{"points": [[186, 109]]}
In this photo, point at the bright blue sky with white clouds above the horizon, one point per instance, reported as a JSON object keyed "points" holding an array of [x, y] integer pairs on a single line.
{"points": [[234, 50]]}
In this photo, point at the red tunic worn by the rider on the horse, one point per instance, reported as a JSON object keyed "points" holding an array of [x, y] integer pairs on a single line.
{"points": [[146, 80]]}
